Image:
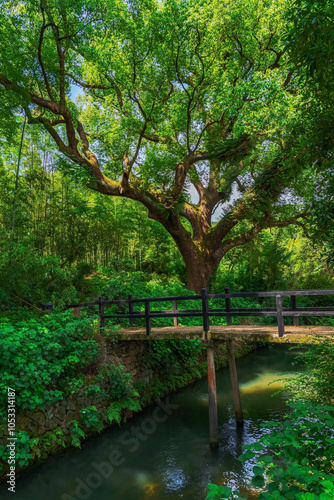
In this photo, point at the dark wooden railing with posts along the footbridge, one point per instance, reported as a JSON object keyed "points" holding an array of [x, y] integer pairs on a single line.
{"points": [[205, 312]]}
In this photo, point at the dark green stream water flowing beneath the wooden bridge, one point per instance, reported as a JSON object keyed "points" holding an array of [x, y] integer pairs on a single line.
{"points": [[163, 453]]}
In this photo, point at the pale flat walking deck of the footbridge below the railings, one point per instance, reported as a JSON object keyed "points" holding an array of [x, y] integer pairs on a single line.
{"points": [[293, 334]]}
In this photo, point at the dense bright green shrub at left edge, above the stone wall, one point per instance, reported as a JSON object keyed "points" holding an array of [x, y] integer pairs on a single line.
{"points": [[41, 359]]}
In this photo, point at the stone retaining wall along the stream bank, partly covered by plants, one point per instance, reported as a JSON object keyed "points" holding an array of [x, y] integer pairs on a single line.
{"points": [[129, 354]]}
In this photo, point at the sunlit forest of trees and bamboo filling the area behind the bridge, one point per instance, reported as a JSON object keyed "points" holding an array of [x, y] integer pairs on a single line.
{"points": [[255, 181]]}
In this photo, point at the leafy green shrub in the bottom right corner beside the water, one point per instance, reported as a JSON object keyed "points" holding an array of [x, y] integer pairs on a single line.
{"points": [[297, 455]]}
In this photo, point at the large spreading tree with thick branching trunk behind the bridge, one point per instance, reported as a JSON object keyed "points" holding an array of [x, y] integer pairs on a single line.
{"points": [[189, 107]]}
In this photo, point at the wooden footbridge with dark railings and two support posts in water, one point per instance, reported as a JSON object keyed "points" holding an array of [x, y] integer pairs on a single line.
{"points": [[285, 305]]}
